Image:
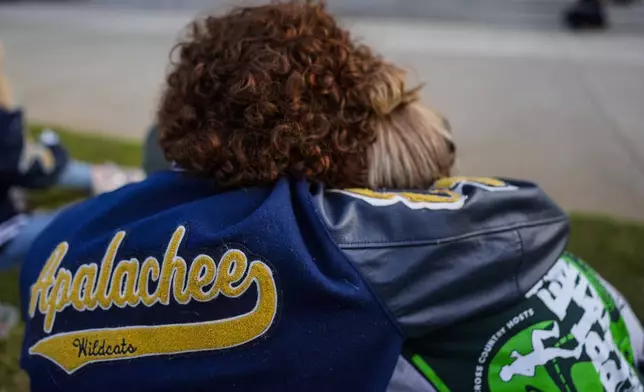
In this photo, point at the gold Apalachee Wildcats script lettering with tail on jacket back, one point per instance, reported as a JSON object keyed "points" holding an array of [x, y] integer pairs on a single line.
{"points": [[127, 284]]}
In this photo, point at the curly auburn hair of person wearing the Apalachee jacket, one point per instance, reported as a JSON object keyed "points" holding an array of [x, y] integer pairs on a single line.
{"points": [[274, 90]]}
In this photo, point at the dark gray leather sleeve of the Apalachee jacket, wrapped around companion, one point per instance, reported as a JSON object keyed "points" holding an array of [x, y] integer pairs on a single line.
{"points": [[433, 268]]}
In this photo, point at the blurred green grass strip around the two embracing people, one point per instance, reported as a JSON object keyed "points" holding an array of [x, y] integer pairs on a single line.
{"points": [[614, 248]]}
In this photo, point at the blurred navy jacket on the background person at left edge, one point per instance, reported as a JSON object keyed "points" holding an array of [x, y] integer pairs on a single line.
{"points": [[29, 164]]}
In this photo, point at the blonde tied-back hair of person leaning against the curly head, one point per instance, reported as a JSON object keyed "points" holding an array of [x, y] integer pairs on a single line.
{"points": [[413, 146]]}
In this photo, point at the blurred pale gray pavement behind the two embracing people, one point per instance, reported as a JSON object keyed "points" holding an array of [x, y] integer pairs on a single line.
{"points": [[566, 111]]}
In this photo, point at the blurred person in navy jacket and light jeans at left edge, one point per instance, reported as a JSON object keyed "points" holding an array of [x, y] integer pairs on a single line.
{"points": [[26, 164]]}
